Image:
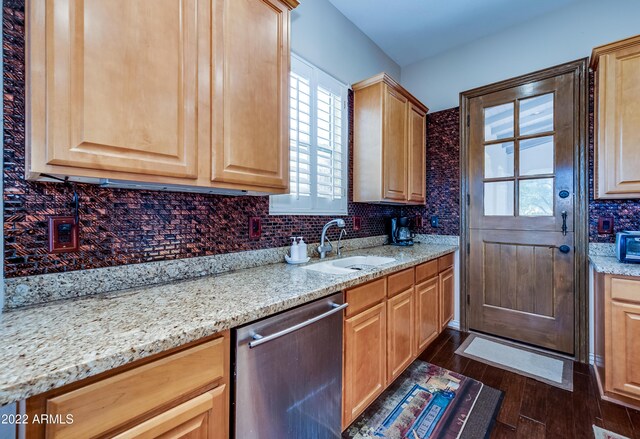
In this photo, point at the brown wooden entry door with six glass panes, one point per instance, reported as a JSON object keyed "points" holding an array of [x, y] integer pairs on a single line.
{"points": [[521, 212]]}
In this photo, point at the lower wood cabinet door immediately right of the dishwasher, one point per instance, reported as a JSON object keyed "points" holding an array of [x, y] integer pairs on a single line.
{"points": [[365, 360]]}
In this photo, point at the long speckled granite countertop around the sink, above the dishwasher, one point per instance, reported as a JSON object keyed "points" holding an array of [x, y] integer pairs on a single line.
{"points": [[48, 346]]}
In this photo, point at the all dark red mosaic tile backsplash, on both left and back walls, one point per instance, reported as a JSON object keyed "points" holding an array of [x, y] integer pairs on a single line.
{"points": [[125, 226]]}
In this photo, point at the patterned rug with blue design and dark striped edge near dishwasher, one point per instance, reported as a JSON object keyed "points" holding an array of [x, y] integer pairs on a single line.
{"points": [[427, 401]]}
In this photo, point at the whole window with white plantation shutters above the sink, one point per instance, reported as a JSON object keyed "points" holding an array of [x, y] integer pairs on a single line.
{"points": [[317, 144]]}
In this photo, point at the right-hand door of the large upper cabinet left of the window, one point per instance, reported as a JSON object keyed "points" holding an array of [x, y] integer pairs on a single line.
{"points": [[251, 94]]}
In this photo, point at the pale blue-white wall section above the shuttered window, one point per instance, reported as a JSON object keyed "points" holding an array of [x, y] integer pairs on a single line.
{"points": [[326, 38]]}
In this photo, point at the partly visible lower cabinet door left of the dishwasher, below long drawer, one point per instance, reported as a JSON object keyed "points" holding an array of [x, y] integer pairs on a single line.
{"points": [[203, 417]]}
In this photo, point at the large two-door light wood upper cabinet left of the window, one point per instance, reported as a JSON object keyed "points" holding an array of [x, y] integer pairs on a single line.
{"points": [[160, 91]]}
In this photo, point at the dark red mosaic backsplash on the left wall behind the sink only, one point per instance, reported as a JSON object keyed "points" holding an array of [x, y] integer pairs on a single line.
{"points": [[126, 226]]}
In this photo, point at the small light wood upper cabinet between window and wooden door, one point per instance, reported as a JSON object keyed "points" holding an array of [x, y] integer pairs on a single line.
{"points": [[389, 143]]}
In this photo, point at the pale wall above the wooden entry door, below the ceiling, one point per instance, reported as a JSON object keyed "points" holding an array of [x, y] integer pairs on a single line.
{"points": [[564, 35]]}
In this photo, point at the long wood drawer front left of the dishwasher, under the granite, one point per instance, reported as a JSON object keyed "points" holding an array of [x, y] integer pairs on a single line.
{"points": [[112, 402]]}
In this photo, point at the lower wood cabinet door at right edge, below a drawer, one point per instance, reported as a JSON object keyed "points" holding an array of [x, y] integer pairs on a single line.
{"points": [[625, 349]]}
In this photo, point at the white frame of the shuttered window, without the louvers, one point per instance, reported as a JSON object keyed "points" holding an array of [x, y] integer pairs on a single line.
{"points": [[313, 204]]}
